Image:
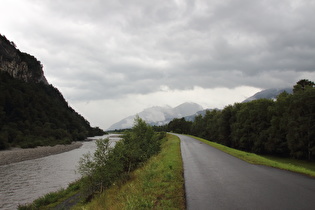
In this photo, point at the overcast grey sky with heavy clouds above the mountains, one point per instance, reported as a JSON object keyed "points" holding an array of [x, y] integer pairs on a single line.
{"points": [[113, 58]]}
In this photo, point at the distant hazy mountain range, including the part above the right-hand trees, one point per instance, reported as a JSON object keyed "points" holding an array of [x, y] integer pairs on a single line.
{"points": [[162, 115]]}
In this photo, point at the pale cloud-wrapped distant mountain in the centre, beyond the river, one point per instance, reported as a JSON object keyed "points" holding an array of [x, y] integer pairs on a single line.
{"points": [[159, 115]]}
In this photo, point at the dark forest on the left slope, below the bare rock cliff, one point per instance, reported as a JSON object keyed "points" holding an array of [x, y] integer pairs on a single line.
{"points": [[34, 114]]}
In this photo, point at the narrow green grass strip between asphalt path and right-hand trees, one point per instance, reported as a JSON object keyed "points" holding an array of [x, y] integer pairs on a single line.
{"points": [[303, 167]]}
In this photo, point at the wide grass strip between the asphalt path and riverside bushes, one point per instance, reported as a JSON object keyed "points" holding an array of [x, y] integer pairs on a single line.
{"points": [[158, 184]]}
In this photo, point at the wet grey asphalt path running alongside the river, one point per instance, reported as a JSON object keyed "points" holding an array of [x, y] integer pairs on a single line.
{"points": [[216, 180]]}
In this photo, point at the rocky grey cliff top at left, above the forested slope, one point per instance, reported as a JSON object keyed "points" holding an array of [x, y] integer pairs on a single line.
{"points": [[18, 64]]}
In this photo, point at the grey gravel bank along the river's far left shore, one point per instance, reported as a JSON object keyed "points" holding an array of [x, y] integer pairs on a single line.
{"points": [[17, 154]]}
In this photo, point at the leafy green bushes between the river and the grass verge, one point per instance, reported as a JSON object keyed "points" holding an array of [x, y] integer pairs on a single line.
{"points": [[110, 164]]}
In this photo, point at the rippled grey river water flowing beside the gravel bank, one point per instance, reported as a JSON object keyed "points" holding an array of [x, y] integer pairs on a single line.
{"points": [[25, 181]]}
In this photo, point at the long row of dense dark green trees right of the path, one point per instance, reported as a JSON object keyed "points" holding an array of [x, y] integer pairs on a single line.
{"points": [[282, 127]]}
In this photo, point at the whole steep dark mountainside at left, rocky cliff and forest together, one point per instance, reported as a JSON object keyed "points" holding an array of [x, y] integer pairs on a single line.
{"points": [[32, 112]]}
